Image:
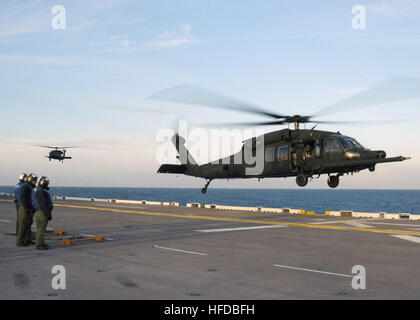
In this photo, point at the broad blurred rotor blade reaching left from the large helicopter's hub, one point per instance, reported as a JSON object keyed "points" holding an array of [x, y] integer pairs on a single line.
{"points": [[191, 94]]}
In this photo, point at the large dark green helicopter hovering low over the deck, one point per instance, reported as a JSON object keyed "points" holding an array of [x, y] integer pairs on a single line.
{"points": [[301, 153]]}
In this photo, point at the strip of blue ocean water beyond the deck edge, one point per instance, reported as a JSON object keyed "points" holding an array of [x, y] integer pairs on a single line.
{"points": [[391, 201]]}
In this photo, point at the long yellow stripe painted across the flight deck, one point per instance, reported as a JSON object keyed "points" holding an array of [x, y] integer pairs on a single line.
{"points": [[186, 216]]}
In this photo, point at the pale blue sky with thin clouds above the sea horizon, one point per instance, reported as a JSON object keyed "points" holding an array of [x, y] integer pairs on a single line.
{"points": [[66, 86]]}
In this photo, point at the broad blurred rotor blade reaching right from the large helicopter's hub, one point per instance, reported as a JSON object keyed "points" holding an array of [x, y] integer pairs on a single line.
{"points": [[393, 90]]}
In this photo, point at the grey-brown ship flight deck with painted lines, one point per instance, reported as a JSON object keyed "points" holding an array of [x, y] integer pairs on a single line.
{"points": [[171, 252]]}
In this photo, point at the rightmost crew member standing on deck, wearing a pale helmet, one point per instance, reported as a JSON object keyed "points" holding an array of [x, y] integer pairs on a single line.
{"points": [[43, 212]]}
